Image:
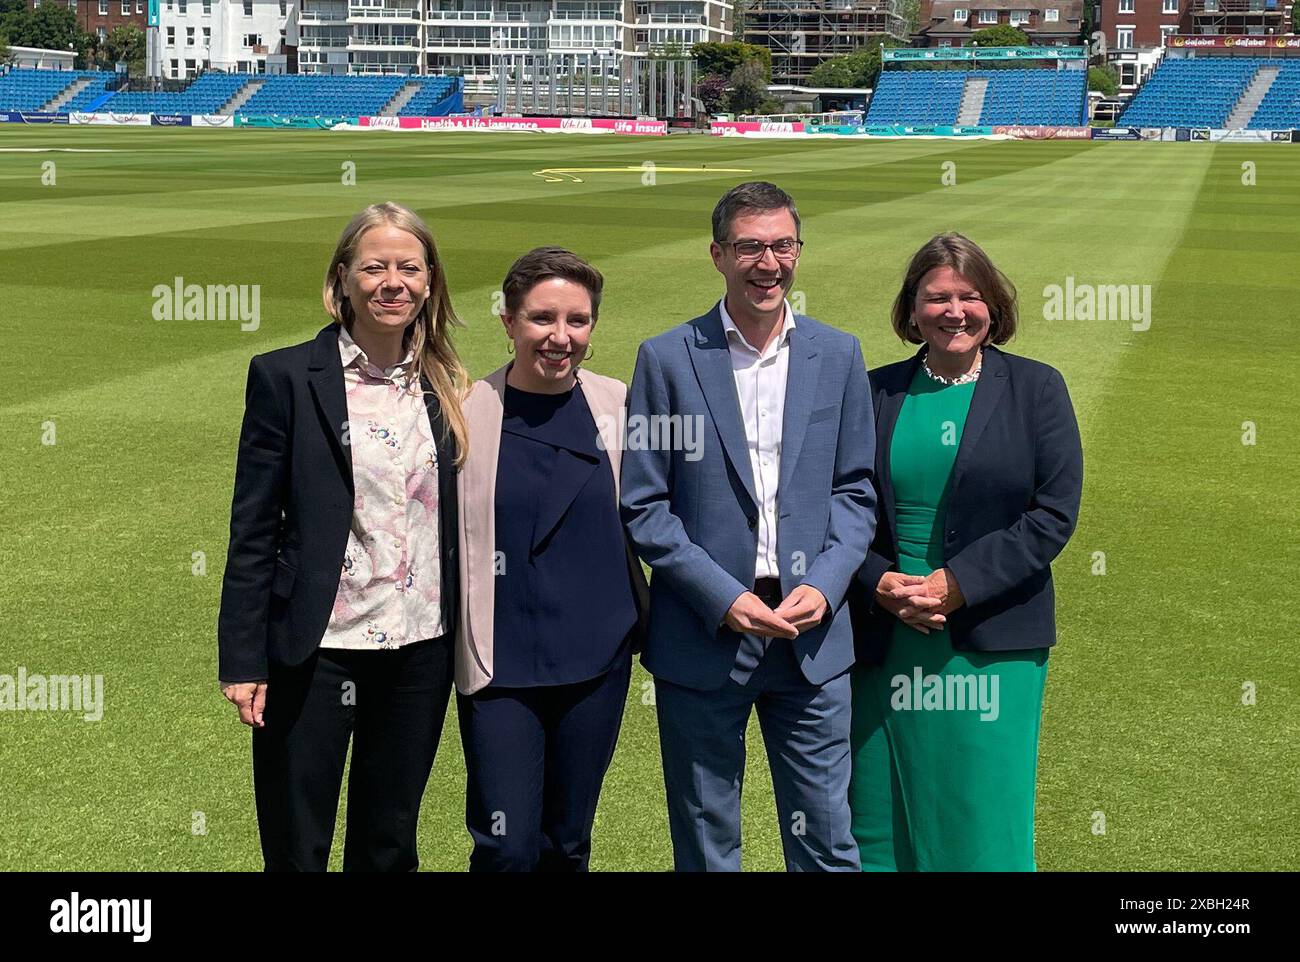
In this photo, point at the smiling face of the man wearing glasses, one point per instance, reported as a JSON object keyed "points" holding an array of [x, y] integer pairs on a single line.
{"points": [[757, 287]]}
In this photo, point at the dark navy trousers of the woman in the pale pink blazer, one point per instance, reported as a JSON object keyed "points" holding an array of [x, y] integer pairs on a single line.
{"points": [[536, 760]]}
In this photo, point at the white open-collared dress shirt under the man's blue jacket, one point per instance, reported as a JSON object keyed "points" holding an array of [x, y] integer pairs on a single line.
{"points": [[761, 388]]}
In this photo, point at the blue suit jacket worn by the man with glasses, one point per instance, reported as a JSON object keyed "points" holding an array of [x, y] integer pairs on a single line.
{"points": [[695, 522]]}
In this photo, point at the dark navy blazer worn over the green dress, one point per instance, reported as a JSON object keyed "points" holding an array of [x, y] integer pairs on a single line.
{"points": [[1013, 504]]}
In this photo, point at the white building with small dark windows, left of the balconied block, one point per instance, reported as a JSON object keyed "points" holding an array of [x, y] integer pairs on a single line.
{"points": [[232, 36]]}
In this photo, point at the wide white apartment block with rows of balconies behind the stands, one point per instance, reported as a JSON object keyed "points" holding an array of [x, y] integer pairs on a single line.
{"points": [[462, 36]]}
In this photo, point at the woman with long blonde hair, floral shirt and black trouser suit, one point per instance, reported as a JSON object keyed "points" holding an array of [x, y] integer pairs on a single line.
{"points": [[340, 597]]}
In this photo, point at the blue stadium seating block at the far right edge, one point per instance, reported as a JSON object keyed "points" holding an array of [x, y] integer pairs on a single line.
{"points": [[1202, 93]]}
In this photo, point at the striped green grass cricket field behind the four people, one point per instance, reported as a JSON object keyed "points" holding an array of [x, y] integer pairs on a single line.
{"points": [[1145, 720]]}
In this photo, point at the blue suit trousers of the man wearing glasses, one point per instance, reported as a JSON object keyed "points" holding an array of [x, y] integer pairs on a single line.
{"points": [[807, 733]]}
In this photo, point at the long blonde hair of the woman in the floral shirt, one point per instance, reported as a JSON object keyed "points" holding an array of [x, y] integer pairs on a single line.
{"points": [[430, 335]]}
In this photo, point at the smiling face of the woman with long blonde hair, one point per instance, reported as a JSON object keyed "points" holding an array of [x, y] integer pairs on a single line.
{"points": [[388, 280]]}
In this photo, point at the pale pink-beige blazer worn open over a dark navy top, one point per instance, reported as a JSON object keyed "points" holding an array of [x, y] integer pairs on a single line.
{"points": [[476, 488]]}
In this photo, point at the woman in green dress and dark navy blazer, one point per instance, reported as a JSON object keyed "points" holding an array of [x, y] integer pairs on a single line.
{"points": [[980, 473]]}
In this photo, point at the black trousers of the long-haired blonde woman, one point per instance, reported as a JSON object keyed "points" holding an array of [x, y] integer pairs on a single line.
{"points": [[391, 705]]}
